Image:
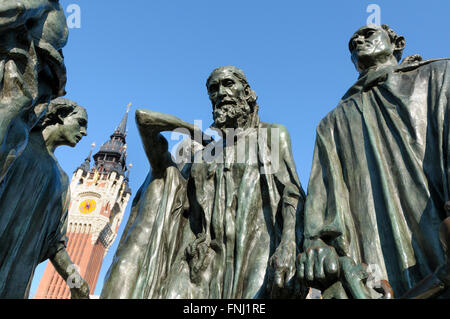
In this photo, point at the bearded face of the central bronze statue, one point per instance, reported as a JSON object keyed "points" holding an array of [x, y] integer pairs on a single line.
{"points": [[228, 97]]}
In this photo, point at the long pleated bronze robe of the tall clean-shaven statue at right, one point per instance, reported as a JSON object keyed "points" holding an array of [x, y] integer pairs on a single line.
{"points": [[381, 172]]}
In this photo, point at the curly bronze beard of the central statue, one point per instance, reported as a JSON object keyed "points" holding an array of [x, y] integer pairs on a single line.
{"points": [[233, 115]]}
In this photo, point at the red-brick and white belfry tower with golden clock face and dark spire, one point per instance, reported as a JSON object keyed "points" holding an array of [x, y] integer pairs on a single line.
{"points": [[99, 197]]}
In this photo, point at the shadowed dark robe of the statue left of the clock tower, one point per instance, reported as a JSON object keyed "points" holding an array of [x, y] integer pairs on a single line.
{"points": [[34, 200]]}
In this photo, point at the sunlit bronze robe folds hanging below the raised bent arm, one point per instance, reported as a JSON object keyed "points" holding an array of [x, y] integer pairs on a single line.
{"points": [[150, 240]]}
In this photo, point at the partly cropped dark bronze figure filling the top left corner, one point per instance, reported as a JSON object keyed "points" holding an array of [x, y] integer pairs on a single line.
{"points": [[32, 70]]}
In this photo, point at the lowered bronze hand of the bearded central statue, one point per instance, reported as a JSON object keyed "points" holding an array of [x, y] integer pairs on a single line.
{"points": [[283, 265]]}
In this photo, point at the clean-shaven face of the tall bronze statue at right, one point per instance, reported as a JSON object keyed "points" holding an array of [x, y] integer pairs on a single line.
{"points": [[370, 45]]}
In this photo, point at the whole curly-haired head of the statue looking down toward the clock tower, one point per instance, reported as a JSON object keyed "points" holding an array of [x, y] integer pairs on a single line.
{"points": [[64, 124]]}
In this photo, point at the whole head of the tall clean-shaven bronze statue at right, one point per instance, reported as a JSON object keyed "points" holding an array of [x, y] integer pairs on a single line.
{"points": [[373, 46]]}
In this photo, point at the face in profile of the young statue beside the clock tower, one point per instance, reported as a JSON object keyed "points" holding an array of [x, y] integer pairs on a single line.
{"points": [[74, 128]]}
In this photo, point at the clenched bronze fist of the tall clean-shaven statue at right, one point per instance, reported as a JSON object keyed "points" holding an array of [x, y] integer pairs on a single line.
{"points": [[318, 267]]}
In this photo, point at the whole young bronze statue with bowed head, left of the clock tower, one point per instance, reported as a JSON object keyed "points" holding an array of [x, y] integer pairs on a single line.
{"points": [[34, 201]]}
